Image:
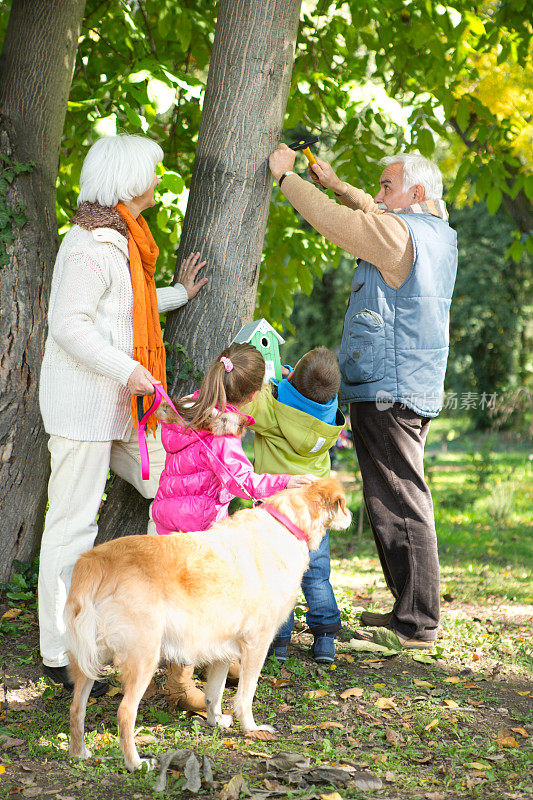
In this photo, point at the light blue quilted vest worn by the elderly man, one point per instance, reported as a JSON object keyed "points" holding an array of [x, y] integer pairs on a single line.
{"points": [[395, 342]]}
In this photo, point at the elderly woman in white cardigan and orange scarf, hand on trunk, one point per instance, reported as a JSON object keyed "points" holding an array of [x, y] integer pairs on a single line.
{"points": [[104, 345]]}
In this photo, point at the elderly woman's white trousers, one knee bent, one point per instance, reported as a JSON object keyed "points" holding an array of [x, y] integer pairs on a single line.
{"points": [[75, 490]]}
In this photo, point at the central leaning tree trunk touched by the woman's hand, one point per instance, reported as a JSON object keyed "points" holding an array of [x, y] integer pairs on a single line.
{"points": [[242, 118]]}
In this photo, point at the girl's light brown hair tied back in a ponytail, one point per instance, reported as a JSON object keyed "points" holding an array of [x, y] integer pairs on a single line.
{"points": [[220, 387]]}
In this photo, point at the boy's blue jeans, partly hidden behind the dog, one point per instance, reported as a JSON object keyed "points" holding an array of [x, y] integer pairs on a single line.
{"points": [[323, 614]]}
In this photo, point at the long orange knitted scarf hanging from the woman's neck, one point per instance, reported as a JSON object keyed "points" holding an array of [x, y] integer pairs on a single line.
{"points": [[148, 347]]}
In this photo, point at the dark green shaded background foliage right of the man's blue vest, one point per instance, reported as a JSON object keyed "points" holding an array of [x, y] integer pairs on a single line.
{"points": [[490, 310]]}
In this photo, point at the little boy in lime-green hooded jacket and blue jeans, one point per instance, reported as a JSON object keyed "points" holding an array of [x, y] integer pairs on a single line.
{"points": [[297, 420]]}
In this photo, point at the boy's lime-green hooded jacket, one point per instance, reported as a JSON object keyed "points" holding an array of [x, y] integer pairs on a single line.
{"points": [[288, 440]]}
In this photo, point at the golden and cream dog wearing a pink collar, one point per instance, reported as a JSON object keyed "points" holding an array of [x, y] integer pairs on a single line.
{"points": [[193, 598]]}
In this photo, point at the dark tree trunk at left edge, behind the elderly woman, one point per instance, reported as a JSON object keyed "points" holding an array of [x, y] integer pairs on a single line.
{"points": [[36, 67]]}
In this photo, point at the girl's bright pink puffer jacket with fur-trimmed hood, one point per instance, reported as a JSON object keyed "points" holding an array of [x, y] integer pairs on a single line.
{"points": [[195, 489]]}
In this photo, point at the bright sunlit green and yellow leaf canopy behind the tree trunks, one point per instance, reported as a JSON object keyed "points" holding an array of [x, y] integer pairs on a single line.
{"points": [[368, 78]]}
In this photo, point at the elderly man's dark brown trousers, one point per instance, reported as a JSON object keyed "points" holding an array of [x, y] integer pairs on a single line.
{"points": [[390, 448]]}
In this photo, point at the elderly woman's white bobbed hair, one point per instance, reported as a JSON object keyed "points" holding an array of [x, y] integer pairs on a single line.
{"points": [[118, 168]]}
